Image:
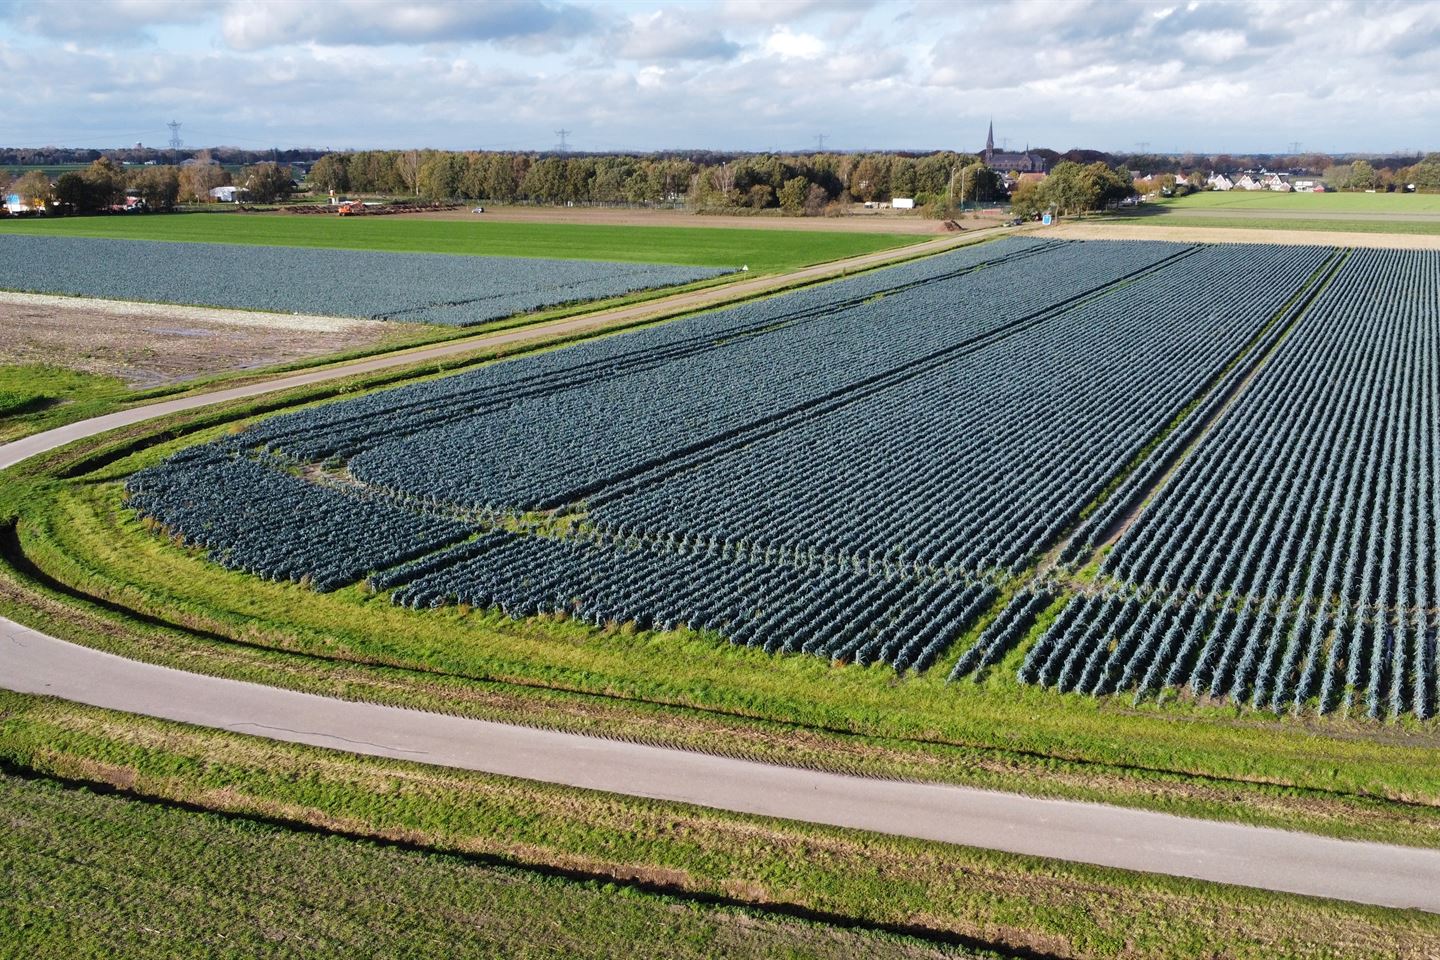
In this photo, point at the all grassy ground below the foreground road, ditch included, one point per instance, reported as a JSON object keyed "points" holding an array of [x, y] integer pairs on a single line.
{"points": [[102, 876]]}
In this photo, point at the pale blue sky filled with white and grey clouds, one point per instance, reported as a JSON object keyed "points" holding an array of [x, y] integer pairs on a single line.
{"points": [[1192, 76]]}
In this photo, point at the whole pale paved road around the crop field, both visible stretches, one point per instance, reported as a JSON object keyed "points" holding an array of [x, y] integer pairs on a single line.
{"points": [[1084, 833]]}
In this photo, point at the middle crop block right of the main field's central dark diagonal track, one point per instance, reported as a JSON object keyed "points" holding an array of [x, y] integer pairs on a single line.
{"points": [[970, 467]]}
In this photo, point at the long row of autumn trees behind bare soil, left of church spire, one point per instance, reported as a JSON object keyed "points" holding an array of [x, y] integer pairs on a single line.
{"points": [[797, 184]]}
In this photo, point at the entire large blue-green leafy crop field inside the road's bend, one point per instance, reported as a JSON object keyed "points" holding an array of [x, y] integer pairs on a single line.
{"points": [[868, 471]]}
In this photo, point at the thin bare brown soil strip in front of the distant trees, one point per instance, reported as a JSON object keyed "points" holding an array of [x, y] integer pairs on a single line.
{"points": [[621, 217]]}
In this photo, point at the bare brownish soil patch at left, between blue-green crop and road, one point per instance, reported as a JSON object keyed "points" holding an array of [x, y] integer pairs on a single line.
{"points": [[153, 345]]}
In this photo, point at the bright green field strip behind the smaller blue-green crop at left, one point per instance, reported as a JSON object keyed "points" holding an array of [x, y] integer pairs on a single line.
{"points": [[762, 251]]}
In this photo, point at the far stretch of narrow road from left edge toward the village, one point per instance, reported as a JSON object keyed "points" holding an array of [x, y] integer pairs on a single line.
{"points": [[12, 454]]}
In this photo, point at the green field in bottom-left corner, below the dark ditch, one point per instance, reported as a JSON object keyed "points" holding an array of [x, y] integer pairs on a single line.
{"points": [[104, 876]]}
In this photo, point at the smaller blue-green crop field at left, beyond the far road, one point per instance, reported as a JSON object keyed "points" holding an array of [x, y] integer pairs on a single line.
{"points": [[431, 289]]}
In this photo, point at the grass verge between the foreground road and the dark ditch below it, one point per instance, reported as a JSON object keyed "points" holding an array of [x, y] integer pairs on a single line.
{"points": [[930, 892]]}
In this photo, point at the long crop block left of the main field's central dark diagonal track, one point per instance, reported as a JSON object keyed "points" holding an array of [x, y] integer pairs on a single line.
{"points": [[544, 451]]}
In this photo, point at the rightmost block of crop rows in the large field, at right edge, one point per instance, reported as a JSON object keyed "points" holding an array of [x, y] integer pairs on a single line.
{"points": [[1308, 517]]}
